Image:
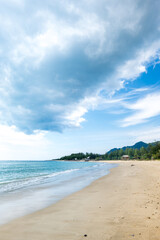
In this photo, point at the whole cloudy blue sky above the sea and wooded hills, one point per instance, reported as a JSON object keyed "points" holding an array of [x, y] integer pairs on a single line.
{"points": [[77, 76]]}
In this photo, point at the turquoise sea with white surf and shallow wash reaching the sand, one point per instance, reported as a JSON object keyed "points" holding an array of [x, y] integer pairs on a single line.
{"points": [[27, 186]]}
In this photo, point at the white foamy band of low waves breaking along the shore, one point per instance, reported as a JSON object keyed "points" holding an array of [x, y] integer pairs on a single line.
{"points": [[25, 181]]}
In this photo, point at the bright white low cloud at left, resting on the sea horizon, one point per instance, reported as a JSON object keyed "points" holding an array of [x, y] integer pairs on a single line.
{"points": [[16, 145]]}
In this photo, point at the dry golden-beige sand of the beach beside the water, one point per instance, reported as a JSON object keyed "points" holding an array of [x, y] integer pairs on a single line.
{"points": [[123, 205]]}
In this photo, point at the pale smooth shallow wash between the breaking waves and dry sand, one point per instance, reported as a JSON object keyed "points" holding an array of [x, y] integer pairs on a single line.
{"points": [[52, 189]]}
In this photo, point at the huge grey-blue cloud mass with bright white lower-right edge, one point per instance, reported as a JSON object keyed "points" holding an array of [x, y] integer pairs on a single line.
{"points": [[56, 54]]}
